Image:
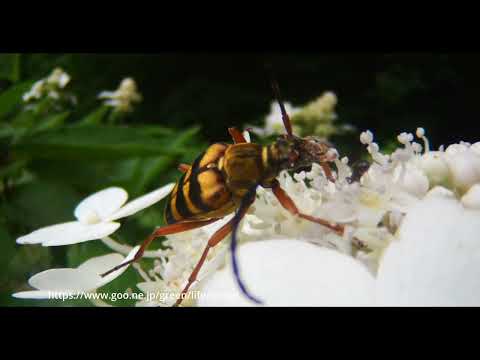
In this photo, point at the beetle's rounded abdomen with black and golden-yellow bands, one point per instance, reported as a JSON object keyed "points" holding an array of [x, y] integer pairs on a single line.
{"points": [[201, 192]]}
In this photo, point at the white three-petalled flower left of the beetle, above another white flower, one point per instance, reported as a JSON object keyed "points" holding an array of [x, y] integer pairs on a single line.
{"points": [[95, 217]]}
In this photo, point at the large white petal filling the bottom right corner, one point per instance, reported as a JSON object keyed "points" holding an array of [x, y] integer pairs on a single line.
{"points": [[436, 260]]}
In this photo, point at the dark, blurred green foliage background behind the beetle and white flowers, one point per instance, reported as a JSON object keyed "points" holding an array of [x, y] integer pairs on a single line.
{"points": [[55, 150]]}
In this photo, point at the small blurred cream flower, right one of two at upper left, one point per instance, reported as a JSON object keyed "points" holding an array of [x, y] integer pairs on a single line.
{"points": [[124, 97]]}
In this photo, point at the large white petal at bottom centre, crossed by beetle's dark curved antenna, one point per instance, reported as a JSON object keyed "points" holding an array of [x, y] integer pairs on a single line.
{"points": [[291, 273]]}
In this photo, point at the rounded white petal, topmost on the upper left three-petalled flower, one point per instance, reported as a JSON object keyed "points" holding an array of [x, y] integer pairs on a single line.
{"points": [[101, 204]]}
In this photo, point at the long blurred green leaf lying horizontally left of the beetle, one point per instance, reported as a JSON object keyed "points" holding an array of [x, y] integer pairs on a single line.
{"points": [[101, 143]]}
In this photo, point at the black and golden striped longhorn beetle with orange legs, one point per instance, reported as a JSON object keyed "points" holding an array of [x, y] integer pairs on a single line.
{"points": [[224, 179]]}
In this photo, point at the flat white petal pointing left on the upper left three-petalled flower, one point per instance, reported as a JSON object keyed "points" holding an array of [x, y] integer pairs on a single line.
{"points": [[68, 233]]}
